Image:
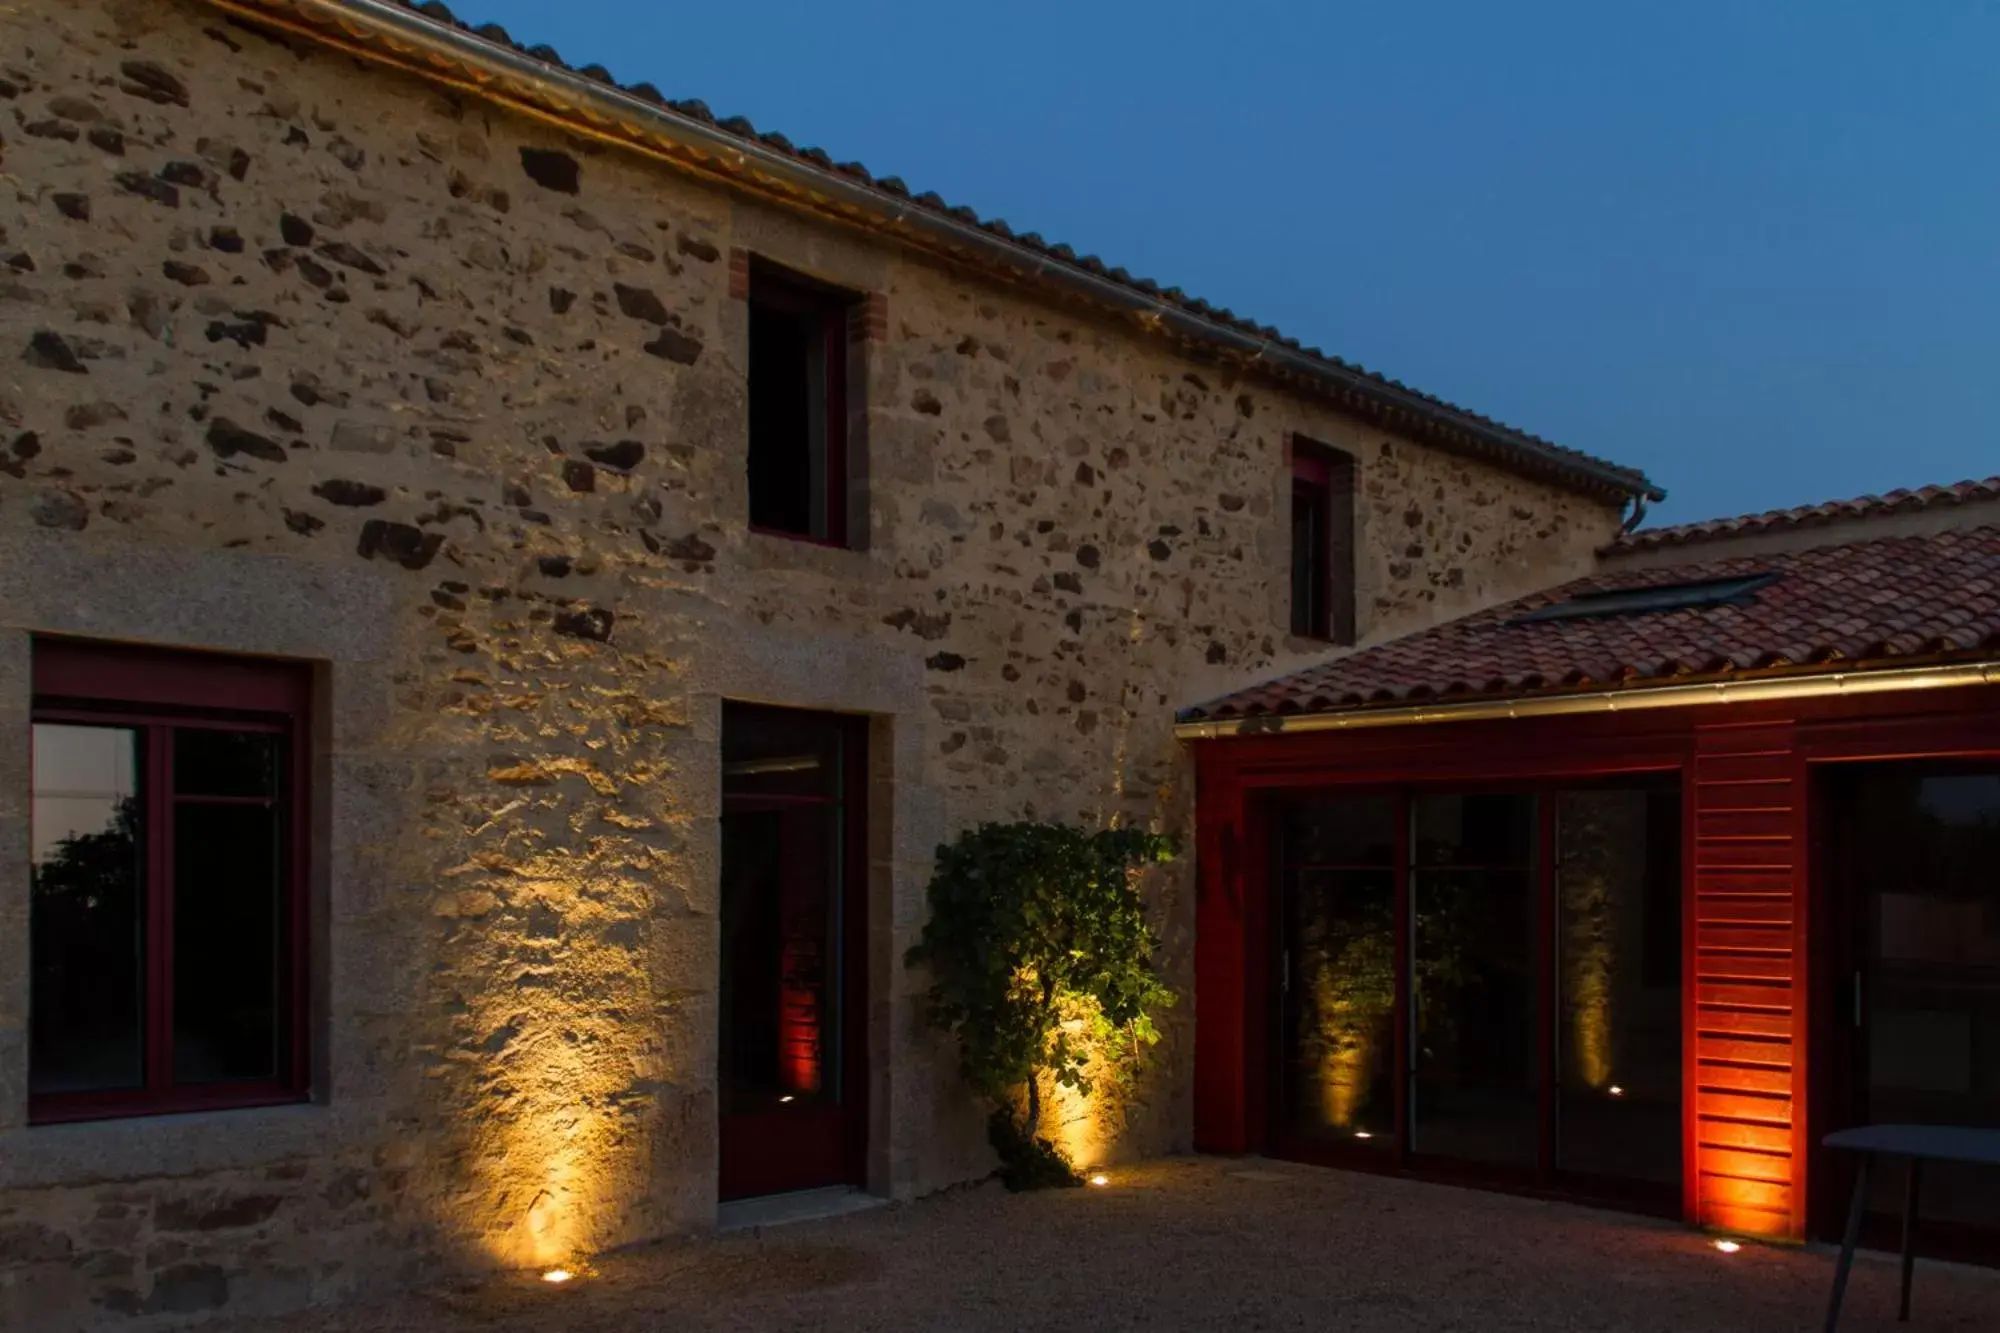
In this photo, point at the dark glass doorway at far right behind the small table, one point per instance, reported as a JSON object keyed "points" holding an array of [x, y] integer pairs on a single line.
{"points": [[1909, 1004]]}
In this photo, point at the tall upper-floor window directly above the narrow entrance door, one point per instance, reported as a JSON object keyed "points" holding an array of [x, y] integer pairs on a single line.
{"points": [[799, 409]]}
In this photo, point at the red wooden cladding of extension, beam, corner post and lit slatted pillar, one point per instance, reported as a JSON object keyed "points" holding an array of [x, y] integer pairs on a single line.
{"points": [[1751, 896]]}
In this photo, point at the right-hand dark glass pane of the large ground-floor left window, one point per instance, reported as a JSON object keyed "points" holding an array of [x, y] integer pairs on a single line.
{"points": [[229, 922]]}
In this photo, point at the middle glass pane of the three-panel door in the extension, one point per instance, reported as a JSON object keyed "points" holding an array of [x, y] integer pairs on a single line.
{"points": [[1475, 1092]]}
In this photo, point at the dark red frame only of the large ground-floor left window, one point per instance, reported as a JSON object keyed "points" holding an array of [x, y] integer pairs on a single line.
{"points": [[157, 694]]}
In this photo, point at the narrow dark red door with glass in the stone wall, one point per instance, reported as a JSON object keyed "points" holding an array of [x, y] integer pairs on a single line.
{"points": [[793, 1000]]}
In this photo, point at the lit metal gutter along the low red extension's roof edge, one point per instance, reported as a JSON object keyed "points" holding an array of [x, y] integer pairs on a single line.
{"points": [[1765, 690]]}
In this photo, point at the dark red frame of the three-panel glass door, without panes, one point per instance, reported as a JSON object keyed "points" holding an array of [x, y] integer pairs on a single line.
{"points": [[1545, 1180]]}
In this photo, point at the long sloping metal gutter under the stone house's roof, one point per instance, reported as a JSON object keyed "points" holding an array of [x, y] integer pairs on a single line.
{"points": [[415, 35]]}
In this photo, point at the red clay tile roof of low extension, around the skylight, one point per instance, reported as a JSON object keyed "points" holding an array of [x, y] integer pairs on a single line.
{"points": [[1875, 603]]}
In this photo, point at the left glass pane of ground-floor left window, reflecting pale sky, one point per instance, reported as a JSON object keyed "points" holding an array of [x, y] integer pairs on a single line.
{"points": [[87, 1012]]}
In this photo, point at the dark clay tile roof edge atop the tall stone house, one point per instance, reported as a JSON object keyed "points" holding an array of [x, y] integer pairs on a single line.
{"points": [[1367, 393]]}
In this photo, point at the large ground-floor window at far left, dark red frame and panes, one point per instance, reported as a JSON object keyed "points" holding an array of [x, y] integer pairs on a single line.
{"points": [[167, 906]]}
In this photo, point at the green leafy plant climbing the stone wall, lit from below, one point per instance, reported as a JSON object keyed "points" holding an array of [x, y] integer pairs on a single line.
{"points": [[1033, 926]]}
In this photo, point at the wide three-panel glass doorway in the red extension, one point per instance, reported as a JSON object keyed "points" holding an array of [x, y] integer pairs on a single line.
{"points": [[1485, 986]]}
